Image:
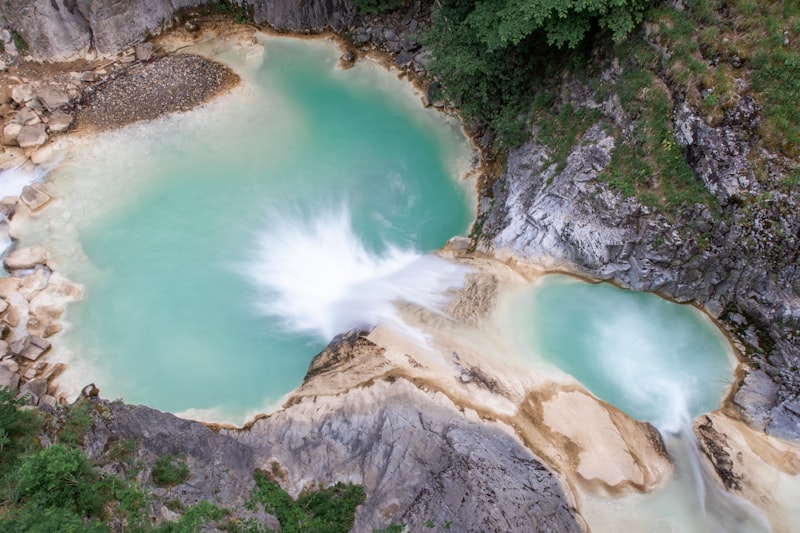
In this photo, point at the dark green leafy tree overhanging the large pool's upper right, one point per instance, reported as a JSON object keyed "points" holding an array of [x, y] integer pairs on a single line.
{"points": [[487, 53]]}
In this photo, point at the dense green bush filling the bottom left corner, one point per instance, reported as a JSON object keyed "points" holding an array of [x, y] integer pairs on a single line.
{"points": [[56, 488]]}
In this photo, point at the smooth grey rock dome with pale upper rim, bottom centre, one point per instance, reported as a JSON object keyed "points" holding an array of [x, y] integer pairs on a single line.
{"points": [[418, 458]]}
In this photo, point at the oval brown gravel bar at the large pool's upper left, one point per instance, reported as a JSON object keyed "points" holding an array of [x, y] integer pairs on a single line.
{"points": [[148, 90]]}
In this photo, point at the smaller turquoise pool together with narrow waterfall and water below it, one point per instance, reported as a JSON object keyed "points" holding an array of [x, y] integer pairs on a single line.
{"points": [[655, 360]]}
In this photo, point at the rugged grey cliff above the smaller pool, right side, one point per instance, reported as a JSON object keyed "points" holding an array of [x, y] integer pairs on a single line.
{"points": [[740, 264]]}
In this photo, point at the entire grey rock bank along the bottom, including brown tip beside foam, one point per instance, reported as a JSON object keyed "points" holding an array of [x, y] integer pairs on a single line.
{"points": [[420, 458]]}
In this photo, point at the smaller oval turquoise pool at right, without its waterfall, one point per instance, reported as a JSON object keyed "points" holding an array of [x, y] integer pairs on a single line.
{"points": [[652, 358]]}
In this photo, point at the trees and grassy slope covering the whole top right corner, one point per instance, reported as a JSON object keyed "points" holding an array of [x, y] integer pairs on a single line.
{"points": [[504, 65]]}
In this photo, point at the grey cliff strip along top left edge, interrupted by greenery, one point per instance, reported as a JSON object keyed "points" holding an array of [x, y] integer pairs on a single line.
{"points": [[66, 29]]}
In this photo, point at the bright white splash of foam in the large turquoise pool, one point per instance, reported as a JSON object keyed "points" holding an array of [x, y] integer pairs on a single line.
{"points": [[316, 276]]}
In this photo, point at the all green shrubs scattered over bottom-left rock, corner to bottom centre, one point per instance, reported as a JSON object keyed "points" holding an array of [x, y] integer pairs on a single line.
{"points": [[57, 488]]}
